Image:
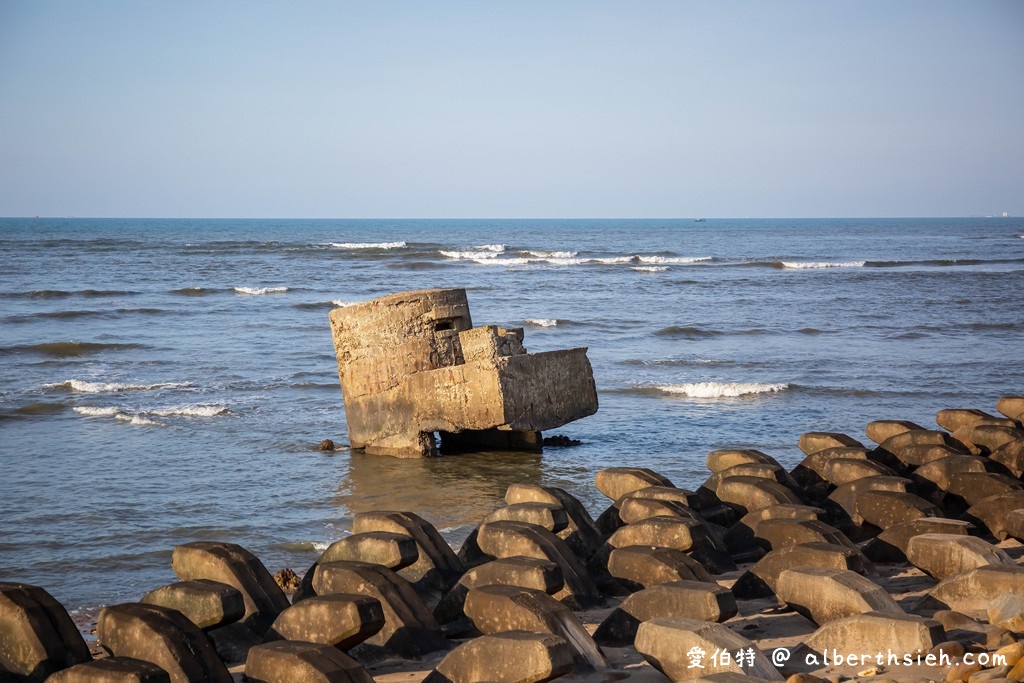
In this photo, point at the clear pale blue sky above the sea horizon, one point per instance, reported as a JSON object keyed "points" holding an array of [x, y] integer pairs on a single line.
{"points": [[810, 108]]}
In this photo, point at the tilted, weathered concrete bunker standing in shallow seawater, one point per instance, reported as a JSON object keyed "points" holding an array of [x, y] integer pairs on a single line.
{"points": [[413, 365]]}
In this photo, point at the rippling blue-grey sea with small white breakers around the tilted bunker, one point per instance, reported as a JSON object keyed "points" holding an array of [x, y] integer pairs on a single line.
{"points": [[168, 381]]}
